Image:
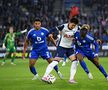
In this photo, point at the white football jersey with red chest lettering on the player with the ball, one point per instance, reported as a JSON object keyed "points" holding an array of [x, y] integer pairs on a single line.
{"points": [[67, 36]]}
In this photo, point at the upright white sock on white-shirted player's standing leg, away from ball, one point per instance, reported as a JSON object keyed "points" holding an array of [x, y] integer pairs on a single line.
{"points": [[73, 69]]}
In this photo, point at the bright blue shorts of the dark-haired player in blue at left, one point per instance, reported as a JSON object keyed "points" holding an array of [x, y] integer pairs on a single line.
{"points": [[45, 54]]}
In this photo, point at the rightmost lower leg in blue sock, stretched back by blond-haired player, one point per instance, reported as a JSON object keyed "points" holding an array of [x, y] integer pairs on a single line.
{"points": [[99, 66]]}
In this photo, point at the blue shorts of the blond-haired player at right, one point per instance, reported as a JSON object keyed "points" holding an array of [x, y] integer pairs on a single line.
{"points": [[89, 54]]}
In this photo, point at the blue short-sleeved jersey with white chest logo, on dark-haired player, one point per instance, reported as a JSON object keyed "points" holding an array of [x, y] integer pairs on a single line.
{"points": [[38, 38]]}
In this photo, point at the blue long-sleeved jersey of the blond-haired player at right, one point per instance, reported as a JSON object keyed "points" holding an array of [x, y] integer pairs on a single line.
{"points": [[84, 44]]}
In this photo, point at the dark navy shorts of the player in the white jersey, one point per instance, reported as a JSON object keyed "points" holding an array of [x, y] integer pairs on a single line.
{"points": [[61, 52]]}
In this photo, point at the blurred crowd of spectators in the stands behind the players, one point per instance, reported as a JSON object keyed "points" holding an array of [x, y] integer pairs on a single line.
{"points": [[21, 13]]}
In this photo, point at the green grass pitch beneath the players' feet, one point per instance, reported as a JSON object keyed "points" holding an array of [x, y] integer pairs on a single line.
{"points": [[19, 77]]}
